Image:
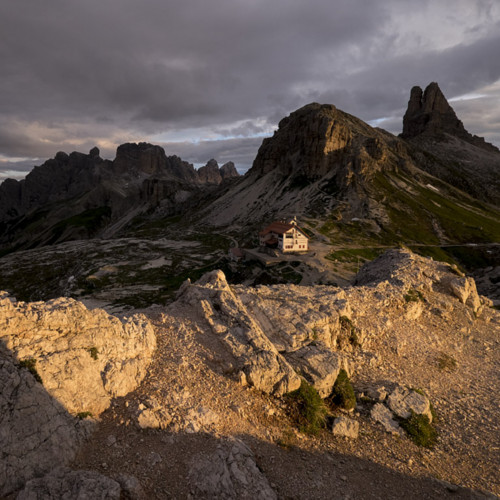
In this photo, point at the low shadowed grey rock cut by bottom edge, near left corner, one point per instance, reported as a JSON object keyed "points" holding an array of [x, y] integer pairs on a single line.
{"points": [[66, 483]]}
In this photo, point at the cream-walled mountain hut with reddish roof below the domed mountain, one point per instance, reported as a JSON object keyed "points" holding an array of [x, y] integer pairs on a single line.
{"points": [[284, 236]]}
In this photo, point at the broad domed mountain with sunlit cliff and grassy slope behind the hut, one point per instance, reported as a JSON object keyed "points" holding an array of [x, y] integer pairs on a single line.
{"points": [[362, 183]]}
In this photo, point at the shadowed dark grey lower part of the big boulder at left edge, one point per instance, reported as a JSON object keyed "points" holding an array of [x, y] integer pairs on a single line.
{"points": [[36, 432]]}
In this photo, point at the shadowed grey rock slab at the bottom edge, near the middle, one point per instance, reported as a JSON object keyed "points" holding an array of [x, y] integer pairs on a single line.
{"points": [[231, 472]]}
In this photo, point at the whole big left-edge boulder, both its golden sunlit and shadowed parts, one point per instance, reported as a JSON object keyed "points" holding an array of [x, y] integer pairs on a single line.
{"points": [[81, 358]]}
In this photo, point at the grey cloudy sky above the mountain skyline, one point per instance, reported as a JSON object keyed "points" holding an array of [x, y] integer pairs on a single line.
{"points": [[210, 79]]}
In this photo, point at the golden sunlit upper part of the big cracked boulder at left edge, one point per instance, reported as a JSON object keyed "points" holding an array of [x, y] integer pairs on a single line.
{"points": [[83, 357]]}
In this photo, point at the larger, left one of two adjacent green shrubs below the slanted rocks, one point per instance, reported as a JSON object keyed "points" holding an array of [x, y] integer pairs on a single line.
{"points": [[311, 410]]}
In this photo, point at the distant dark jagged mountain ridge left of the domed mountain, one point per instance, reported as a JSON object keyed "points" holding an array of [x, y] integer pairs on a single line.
{"points": [[79, 196]]}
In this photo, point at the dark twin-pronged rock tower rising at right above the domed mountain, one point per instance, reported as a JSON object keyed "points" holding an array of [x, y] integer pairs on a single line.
{"points": [[430, 114]]}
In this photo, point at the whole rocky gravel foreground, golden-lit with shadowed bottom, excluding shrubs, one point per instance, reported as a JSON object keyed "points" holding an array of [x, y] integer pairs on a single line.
{"points": [[190, 400]]}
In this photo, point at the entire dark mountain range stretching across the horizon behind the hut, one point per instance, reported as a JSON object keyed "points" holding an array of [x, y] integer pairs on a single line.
{"points": [[434, 184]]}
